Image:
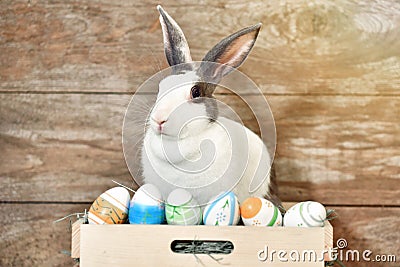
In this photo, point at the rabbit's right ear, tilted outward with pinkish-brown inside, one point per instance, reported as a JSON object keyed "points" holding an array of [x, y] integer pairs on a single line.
{"points": [[231, 52]]}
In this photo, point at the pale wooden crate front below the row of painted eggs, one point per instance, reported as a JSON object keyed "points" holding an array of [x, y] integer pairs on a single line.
{"points": [[150, 245]]}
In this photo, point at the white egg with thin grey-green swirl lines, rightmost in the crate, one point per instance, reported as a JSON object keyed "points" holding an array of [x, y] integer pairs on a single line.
{"points": [[305, 214]]}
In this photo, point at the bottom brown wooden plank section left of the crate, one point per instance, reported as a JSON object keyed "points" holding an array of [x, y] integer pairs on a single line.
{"points": [[30, 238]]}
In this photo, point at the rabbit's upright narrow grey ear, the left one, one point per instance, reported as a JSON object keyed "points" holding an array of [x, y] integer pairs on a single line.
{"points": [[175, 44]]}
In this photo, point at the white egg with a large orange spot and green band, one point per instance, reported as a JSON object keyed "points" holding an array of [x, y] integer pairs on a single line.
{"points": [[260, 212]]}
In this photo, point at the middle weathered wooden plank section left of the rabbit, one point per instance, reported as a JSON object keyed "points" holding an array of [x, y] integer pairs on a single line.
{"points": [[68, 153]]}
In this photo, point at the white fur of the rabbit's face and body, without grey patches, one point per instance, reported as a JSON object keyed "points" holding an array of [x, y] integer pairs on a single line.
{"points": [[205, 158]]}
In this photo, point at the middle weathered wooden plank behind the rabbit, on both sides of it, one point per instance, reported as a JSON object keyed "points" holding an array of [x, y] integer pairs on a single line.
{"points": [[338, 150]]}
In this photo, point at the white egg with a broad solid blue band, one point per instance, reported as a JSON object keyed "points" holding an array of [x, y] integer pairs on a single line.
{"points": [[147, 206]]}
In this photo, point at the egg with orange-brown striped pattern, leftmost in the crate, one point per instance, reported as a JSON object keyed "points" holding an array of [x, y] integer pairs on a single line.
{"points": [[111, 207]]}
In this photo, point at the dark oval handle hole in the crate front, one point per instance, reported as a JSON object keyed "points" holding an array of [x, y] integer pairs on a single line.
{"points": [[202, 246]]}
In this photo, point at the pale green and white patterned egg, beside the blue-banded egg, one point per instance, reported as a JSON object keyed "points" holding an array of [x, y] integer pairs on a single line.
{"points": [[182, 209]]}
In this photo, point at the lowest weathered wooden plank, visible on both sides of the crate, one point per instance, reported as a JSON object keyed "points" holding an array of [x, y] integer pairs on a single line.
{"points": [[30, 238]]}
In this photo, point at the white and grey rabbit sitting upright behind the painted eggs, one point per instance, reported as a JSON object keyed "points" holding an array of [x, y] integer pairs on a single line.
{"points": [[187, 143]]}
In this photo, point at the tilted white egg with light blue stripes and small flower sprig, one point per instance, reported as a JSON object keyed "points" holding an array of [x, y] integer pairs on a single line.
{"points": [[222, 210]]}
